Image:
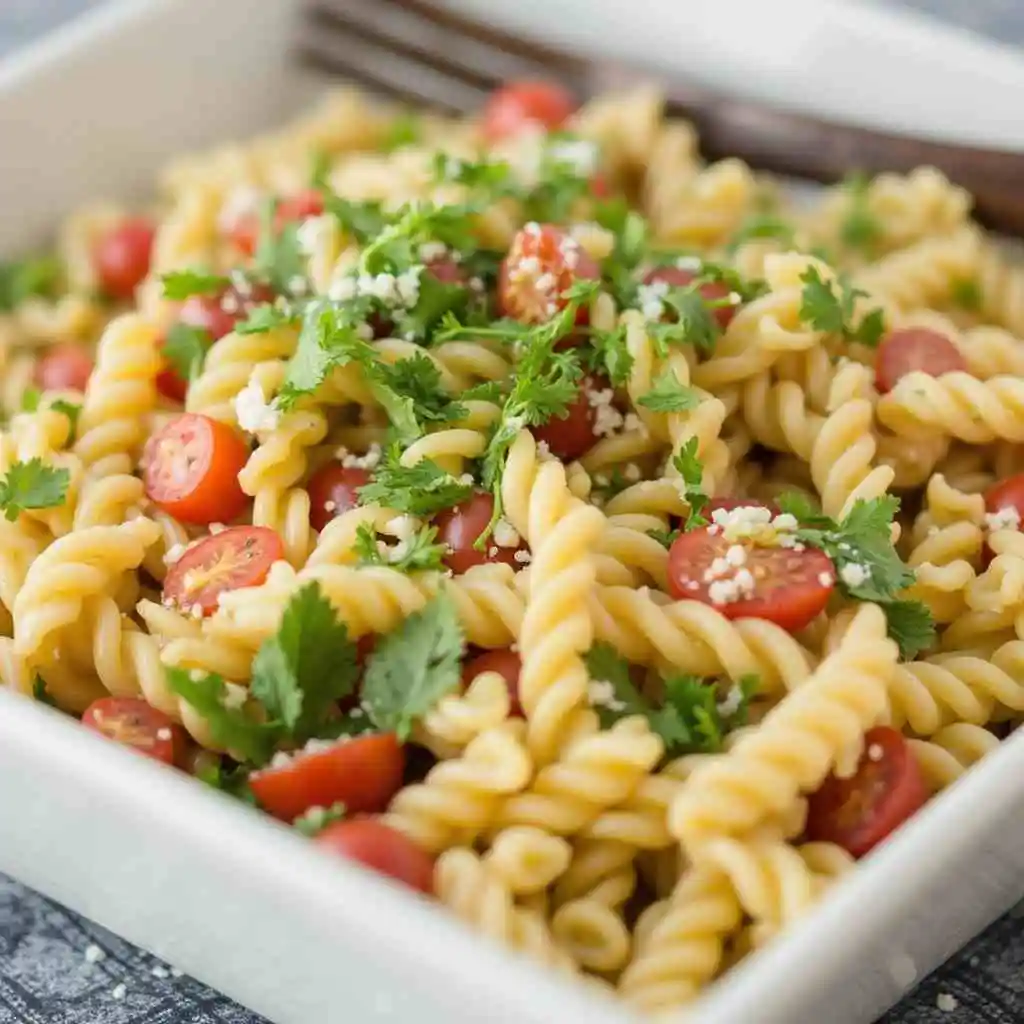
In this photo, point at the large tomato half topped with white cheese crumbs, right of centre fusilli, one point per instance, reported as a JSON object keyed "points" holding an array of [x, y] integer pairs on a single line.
{"points": [[785, 586]]}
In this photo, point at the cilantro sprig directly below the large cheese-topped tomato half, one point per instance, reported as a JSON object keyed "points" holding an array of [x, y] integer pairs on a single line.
{"points": [[692, 719]]}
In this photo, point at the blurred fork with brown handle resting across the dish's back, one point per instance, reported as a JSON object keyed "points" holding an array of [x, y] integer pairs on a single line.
{"points": [[420, 53]]}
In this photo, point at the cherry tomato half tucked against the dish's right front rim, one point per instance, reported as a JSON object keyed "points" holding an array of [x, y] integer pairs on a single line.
{"points": [[860, 813]]}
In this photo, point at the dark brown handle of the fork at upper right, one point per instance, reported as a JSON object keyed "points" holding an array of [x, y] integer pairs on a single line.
{"points": [[793, 144]]}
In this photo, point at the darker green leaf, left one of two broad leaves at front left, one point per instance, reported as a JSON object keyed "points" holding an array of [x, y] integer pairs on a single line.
{"points": [[307, 667]]}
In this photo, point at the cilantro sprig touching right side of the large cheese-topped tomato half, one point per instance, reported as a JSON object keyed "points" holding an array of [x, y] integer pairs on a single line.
{"points": [[864, 540]]}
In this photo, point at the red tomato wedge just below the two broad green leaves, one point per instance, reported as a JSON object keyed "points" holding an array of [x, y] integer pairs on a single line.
{"points": [[363, 773]]}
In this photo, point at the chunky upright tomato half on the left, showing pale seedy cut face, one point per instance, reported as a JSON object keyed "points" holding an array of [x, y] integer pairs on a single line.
{"points": [[191, 470]]}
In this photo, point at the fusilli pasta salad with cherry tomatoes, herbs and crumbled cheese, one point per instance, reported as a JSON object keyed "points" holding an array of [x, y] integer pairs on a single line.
{"points": [[583, 535]]}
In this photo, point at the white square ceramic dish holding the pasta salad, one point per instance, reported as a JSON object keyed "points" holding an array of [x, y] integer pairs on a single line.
{"points": [[239, 901]]}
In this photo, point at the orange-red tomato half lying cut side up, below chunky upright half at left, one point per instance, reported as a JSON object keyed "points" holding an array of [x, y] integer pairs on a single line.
{"points": [[237, 558]]}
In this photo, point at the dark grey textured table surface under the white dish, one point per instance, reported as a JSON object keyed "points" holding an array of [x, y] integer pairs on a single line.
{"points": [[56, 968]]}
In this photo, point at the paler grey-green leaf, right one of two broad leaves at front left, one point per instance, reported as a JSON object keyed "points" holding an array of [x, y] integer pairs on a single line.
{"points": [[414, 667]]}
